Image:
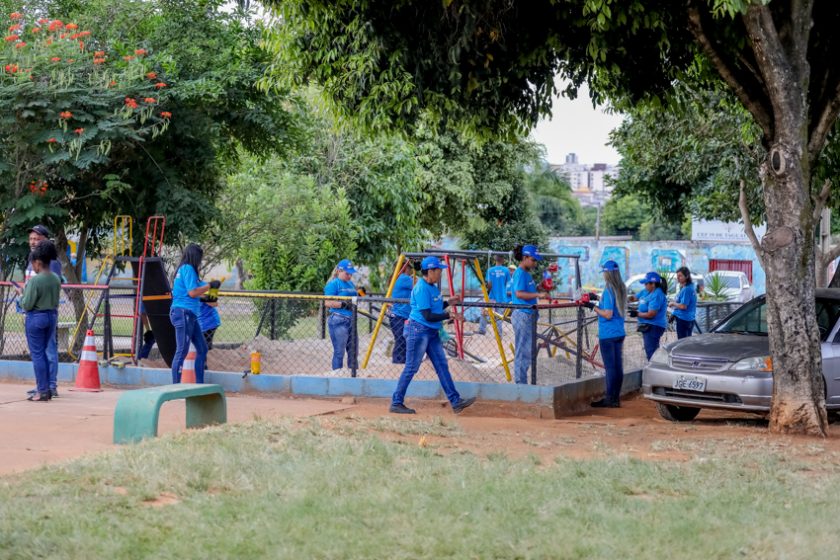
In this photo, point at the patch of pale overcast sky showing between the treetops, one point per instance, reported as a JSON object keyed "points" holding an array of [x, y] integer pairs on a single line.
{"points": [[577, 127]]}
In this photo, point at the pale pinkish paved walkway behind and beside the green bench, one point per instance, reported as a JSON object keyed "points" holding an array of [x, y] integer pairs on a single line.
{"points": [[34, 433]]}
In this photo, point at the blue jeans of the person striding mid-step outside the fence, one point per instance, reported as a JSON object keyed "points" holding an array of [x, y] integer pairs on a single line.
{"points": [[420, 340]]}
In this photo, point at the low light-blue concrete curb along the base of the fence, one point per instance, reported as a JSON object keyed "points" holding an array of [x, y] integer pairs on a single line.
{"points": [[556, 401]]}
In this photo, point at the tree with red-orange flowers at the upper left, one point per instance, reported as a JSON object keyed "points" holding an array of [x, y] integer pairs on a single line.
{"points": [[70, 110]]}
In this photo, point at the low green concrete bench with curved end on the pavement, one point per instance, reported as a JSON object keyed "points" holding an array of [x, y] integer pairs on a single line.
{"points": [[137, 412]]}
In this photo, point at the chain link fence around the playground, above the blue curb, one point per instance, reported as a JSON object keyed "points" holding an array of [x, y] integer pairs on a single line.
{"points": [[291, 332]]}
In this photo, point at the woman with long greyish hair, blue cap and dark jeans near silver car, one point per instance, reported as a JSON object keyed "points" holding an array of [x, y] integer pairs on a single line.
{"points": [[611, 333]]}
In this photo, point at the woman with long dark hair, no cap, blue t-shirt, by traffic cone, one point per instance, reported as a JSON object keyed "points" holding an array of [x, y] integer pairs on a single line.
{"points": [[187, 288]]}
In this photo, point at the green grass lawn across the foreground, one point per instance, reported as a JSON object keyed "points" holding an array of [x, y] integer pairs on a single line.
{"points": [[296, 489]]}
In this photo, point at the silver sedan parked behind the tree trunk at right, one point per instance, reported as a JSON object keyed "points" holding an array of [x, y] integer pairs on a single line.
{"points": [[730, 368]]}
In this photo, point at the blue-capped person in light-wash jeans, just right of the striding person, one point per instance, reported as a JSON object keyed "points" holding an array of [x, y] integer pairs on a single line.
{"points": [[523, 291]]}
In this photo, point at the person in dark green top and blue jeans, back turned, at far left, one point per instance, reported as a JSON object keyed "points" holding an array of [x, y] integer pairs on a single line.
{"points": [[40, 302]]}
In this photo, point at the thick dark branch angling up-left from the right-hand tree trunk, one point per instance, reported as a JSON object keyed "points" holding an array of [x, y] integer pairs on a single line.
{"points": [[732, 75]]}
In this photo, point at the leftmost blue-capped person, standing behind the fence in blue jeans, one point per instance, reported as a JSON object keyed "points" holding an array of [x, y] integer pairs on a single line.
{"points": [[341, 314]]}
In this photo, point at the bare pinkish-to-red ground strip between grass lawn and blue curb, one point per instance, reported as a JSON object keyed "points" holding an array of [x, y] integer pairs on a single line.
{"points": [[32, 434]]}
